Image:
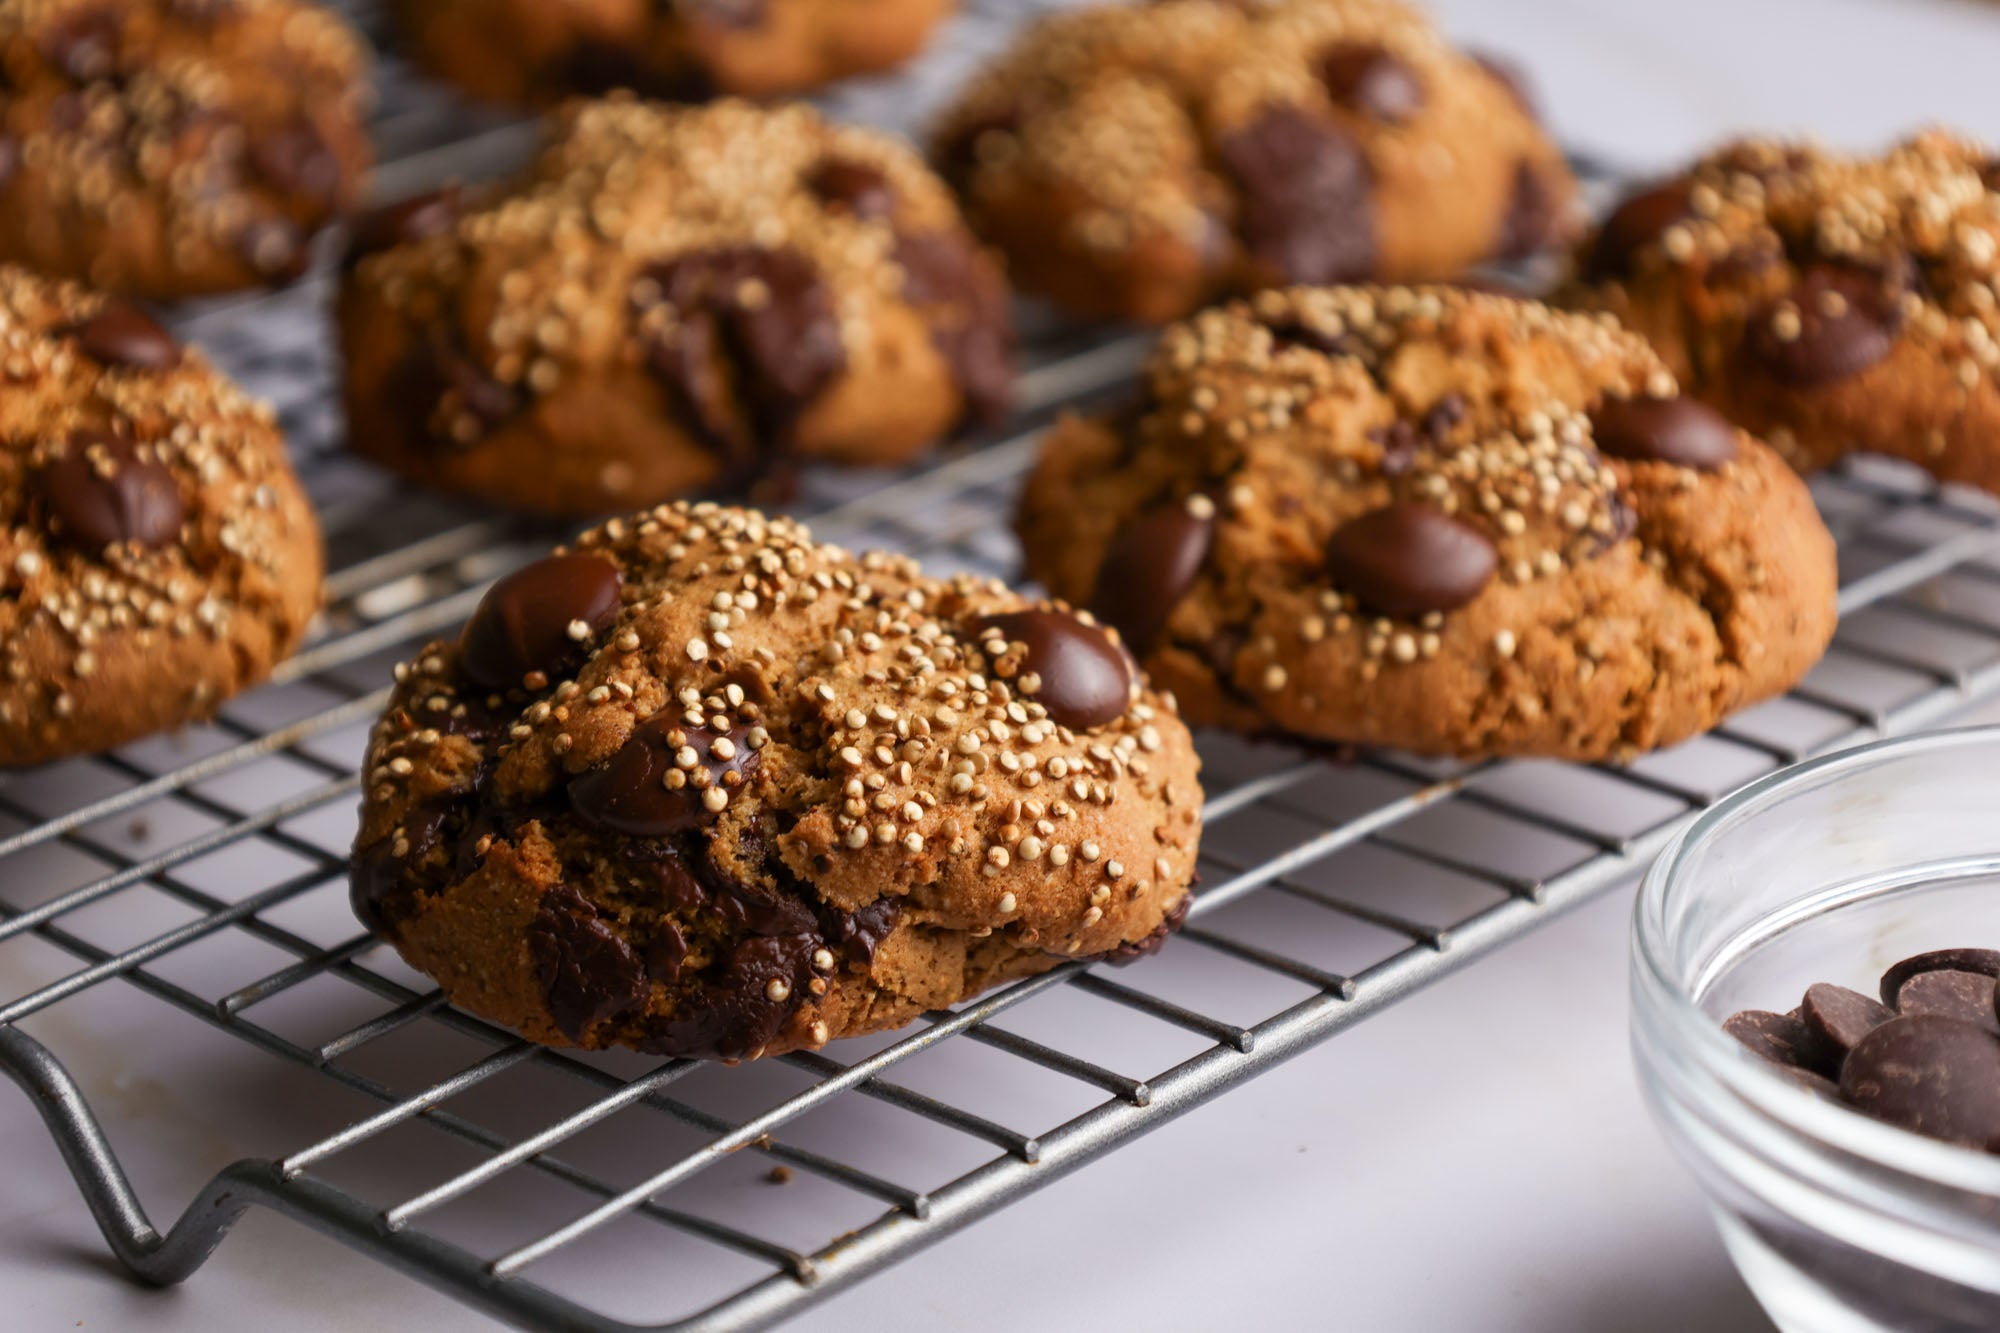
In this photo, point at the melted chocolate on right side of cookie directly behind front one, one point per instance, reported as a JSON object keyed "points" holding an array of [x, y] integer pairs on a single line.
{"points": [[973, 333]]}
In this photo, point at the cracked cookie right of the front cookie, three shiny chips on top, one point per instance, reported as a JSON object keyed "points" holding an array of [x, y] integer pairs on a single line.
{"points": [[1433, 519]]}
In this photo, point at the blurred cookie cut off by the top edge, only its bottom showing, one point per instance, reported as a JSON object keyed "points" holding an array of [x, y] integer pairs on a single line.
{"points": [[541, 51]]}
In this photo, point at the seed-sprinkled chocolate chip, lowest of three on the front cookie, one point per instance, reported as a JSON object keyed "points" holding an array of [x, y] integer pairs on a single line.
{"points": [[631, 792]]}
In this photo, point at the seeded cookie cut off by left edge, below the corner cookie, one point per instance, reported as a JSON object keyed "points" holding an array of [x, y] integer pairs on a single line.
{"points": [[159, 555]]}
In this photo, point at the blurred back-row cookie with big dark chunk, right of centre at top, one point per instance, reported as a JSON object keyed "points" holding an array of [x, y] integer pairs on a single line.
{"points": [[1139, 161]]}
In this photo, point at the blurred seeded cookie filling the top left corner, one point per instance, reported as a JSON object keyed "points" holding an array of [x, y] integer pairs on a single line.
{"points": [[175, 147]]}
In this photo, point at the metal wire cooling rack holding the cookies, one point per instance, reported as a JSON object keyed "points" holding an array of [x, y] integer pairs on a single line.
{"points": [[205, 876]]}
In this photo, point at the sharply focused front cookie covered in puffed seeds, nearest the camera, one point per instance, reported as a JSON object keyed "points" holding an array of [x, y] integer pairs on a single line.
{"points": [[705, 788]]}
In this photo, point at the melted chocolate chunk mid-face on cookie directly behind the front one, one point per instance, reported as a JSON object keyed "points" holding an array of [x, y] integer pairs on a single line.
{"points": [[753, 343]]}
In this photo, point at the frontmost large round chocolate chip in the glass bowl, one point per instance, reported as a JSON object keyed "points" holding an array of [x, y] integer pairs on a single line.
{"points": [[1935, 1076]]}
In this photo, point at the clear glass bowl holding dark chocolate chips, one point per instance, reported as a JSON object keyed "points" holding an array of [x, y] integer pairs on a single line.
{"points": [[1817, 1028]]}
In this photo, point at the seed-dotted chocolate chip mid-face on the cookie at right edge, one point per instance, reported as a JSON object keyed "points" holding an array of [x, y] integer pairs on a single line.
{"points": [[1837, 321]]}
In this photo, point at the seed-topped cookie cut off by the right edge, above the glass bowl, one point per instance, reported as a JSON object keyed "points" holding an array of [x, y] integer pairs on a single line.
{"points": [[1823, 301]]}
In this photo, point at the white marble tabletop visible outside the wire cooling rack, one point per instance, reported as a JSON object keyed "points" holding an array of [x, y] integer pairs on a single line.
{"points": [[1473, 1160]]}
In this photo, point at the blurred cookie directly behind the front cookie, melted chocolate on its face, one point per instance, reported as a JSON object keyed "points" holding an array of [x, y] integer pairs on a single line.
{"points": [[671, 301]]}
